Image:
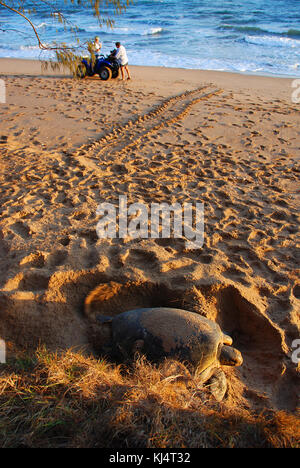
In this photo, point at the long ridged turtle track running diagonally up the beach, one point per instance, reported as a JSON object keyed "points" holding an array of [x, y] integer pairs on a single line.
{"points": [[131, 134]]}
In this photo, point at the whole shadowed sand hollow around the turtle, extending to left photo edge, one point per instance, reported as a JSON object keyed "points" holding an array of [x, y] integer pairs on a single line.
{"points": [[63, 315]]}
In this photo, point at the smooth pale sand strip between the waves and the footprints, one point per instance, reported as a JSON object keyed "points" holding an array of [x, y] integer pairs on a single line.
{"points": [[178, 79]]}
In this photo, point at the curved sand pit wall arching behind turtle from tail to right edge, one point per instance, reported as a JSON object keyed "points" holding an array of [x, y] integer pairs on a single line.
{"points": [[260, 340]]}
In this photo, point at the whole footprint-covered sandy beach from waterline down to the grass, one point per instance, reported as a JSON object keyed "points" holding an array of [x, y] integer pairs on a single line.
{"points": [[169, 135]]}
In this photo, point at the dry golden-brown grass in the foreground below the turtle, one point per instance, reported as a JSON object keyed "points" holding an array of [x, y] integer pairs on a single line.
{"points": [[69, 400]]}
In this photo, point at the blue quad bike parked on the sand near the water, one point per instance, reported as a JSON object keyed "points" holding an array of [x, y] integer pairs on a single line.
{"points": [[106, 67]]}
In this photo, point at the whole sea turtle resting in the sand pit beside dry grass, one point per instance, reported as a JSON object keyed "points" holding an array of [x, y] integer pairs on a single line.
{"points": [[174, 333]]}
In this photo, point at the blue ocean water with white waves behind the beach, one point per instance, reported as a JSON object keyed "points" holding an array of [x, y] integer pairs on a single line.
{"points": [[255, 36]]}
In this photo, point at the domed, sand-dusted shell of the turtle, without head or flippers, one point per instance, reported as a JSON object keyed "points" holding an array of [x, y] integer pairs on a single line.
{"points": [[167, 332]]}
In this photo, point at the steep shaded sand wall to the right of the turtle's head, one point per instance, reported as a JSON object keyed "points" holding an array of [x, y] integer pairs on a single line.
{"points": [[261, 342]]}
